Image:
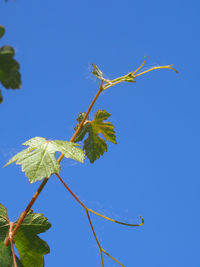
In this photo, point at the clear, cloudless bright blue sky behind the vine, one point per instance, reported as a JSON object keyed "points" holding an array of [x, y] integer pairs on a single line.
{"points": [[154, 170]]}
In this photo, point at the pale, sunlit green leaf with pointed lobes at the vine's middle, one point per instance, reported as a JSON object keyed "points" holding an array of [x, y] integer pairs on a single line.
{"points": [[38, 160]]}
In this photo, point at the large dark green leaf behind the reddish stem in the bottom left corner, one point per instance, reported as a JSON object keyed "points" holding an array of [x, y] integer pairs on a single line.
{"points": [[30, 247]]}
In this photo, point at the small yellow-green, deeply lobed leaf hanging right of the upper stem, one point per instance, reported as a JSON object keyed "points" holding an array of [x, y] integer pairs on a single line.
{"points": [[94, 145]]}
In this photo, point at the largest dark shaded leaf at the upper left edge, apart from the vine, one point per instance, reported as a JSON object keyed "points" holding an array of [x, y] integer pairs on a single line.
{"points": [[9, 68]]}
